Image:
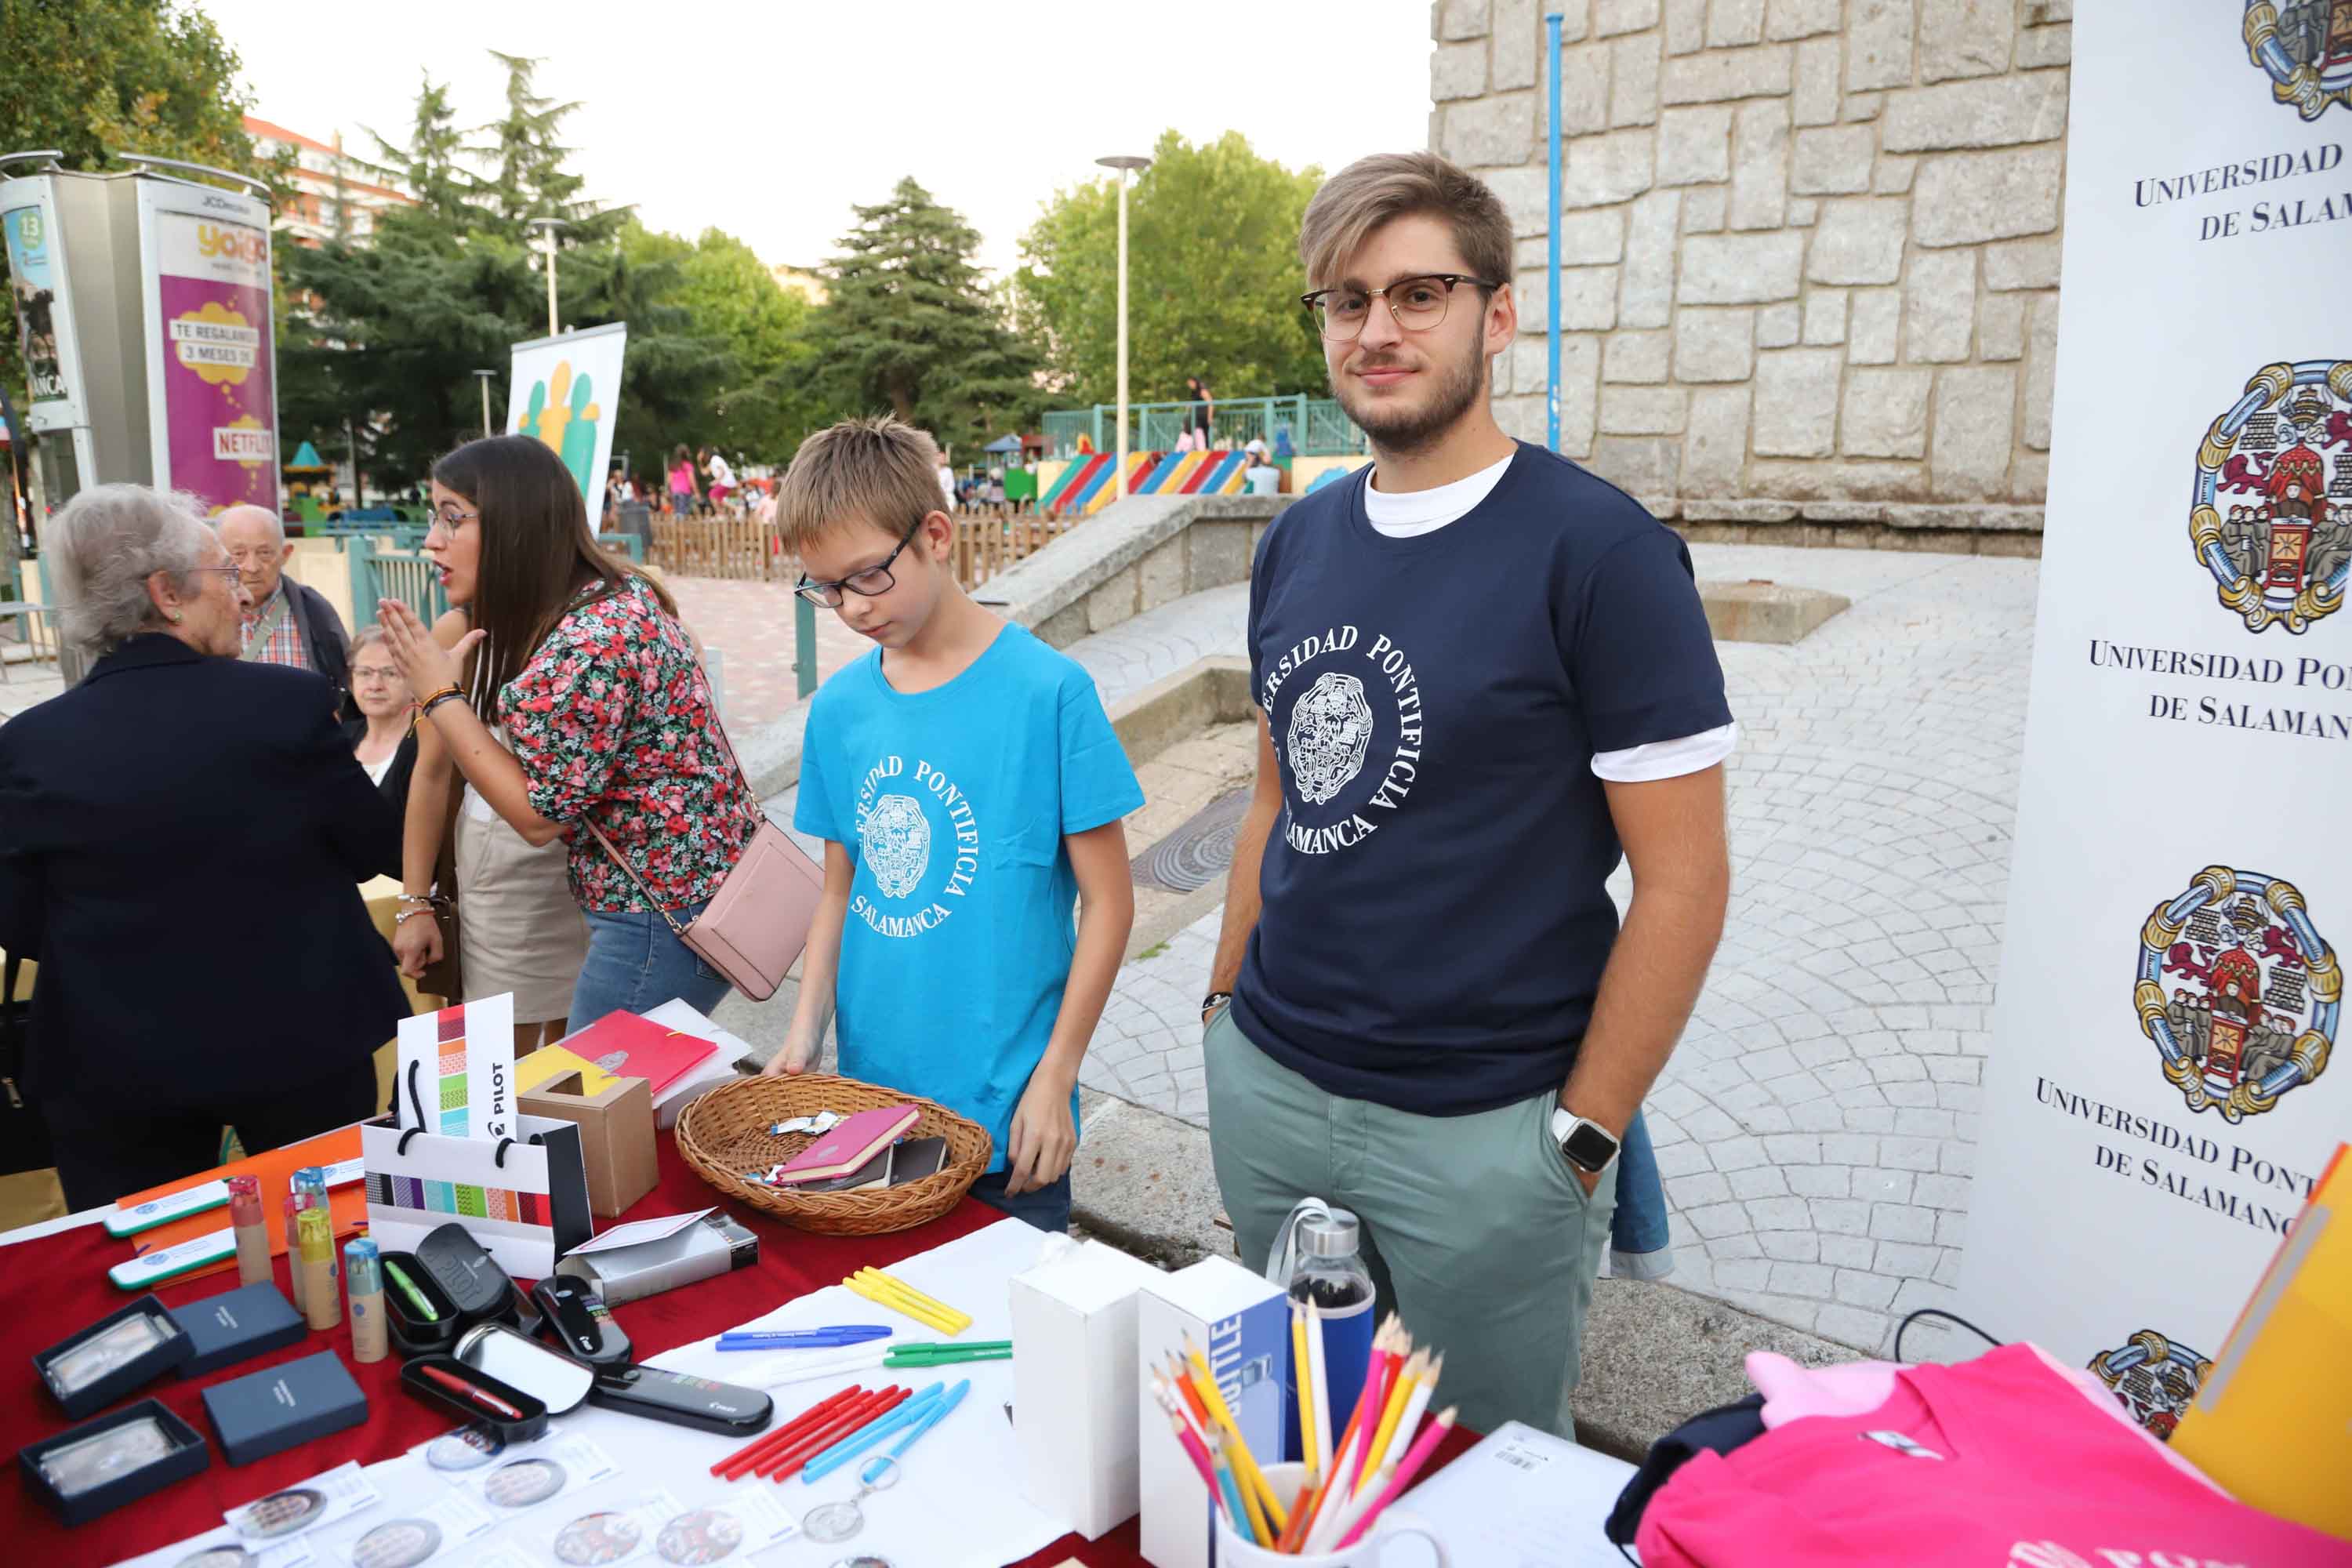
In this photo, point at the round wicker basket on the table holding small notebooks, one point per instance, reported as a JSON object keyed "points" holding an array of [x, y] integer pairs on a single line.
{"points": [[723, 1134]]}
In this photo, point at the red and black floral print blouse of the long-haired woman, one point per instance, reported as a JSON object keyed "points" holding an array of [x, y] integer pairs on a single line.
{"points": [[613, 725]]}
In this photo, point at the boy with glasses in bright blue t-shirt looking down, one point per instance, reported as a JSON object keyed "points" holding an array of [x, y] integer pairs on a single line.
{"points": [[970, 791]]}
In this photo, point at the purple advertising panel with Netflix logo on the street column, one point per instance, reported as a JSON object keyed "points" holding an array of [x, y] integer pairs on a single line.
{"points": [[213, 389]]}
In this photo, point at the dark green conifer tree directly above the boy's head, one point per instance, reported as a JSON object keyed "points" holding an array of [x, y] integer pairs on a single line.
{"points": [[909, 326]]}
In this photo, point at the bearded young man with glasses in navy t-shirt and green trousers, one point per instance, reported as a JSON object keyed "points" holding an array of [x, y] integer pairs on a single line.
{"points": [[1485, 676]]}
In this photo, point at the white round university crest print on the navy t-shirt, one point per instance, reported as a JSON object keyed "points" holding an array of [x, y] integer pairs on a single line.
{"points": [[1351, 737]]}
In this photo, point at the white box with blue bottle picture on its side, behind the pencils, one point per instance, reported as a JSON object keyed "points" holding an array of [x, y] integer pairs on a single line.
{"points": [[1243, 1325]]}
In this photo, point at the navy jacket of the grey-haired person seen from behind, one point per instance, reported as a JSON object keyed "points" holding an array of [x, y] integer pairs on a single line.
{"points": [[182, 843]]}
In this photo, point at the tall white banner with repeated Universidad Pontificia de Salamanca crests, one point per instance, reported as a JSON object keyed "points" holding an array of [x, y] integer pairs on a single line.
{"points": [[2160, 1099]]}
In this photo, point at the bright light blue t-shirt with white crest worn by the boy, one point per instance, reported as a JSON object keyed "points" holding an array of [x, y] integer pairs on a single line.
{"points": [[961, 925]]}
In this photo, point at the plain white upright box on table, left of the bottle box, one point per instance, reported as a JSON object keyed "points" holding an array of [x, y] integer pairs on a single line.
{"points": [[1074, 1383]]}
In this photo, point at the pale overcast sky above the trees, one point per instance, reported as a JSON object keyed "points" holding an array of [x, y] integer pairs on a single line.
{"points": [[773, 119]]}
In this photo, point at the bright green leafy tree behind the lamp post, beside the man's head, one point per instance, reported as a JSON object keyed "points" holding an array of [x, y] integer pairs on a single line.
{"points": [[1212, 286]]}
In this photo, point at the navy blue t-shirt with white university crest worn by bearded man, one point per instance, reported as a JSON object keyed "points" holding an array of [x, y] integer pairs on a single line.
{"points": [[1436, 911]]}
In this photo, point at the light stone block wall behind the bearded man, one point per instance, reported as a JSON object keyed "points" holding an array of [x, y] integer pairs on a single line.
{"points": [[1810, 253]]}
